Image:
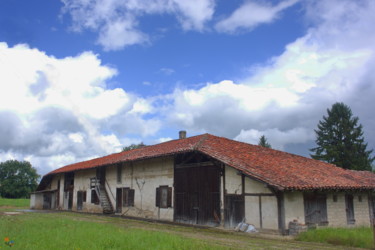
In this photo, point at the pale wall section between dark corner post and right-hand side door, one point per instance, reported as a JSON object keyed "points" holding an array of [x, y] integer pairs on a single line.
{"points": [[294, 207]]}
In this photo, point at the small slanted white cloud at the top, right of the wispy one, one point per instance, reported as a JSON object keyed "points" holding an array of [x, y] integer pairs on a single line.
{"points": [[252, 14]]}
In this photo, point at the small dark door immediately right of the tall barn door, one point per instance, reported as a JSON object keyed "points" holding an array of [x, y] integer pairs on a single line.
{"points": [[234, 210]]}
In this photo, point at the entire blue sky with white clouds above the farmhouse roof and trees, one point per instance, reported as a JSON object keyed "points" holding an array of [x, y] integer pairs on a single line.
{"points": [[80, 79]]}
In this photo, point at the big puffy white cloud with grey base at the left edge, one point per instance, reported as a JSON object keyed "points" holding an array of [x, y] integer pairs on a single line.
{"points": [[56, 111]]}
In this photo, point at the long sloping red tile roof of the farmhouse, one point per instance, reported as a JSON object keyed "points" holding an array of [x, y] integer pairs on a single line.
{"points": [[276, 168]]}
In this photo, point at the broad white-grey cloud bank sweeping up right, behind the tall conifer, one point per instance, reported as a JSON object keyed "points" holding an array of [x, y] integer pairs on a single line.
{"points": [[285, 97]]}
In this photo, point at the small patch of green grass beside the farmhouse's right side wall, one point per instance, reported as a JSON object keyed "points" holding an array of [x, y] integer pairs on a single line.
{"points": [[352, 237]]}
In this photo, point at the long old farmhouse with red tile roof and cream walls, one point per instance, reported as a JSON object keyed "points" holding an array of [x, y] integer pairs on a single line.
{"points": [[215, 181]]}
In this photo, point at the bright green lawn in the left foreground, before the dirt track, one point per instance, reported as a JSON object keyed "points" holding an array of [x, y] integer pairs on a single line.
{"points": [[56, 231]]}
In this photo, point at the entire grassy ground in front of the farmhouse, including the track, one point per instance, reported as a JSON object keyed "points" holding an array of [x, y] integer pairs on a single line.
{"points": [[69, 230]]}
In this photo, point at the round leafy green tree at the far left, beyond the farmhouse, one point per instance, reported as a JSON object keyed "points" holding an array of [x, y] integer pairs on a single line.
{"points": [[17, 179]]}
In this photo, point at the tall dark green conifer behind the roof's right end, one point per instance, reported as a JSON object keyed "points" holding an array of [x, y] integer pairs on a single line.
{"points": [[340, 140]]}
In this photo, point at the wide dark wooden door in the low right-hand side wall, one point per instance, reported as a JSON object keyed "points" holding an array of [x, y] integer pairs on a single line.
{"points": [[315, 209]]}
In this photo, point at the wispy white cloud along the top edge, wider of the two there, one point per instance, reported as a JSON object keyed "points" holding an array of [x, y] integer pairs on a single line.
{"points": [[117, 21]]}
